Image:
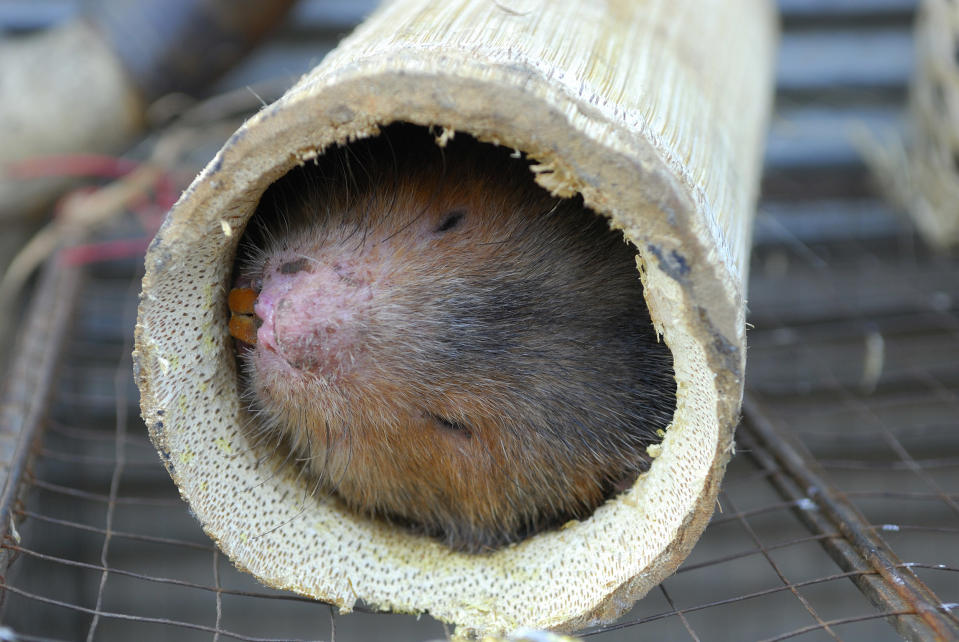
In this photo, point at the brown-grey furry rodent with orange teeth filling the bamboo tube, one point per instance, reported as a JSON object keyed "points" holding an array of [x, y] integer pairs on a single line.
{"points": [[443, 344]]}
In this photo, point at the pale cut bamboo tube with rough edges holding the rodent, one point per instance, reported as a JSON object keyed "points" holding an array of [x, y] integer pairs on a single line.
{"points": [[654, 111]]}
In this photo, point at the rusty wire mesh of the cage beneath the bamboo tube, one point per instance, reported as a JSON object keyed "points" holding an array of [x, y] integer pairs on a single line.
{"points": [[853, 363]]}
